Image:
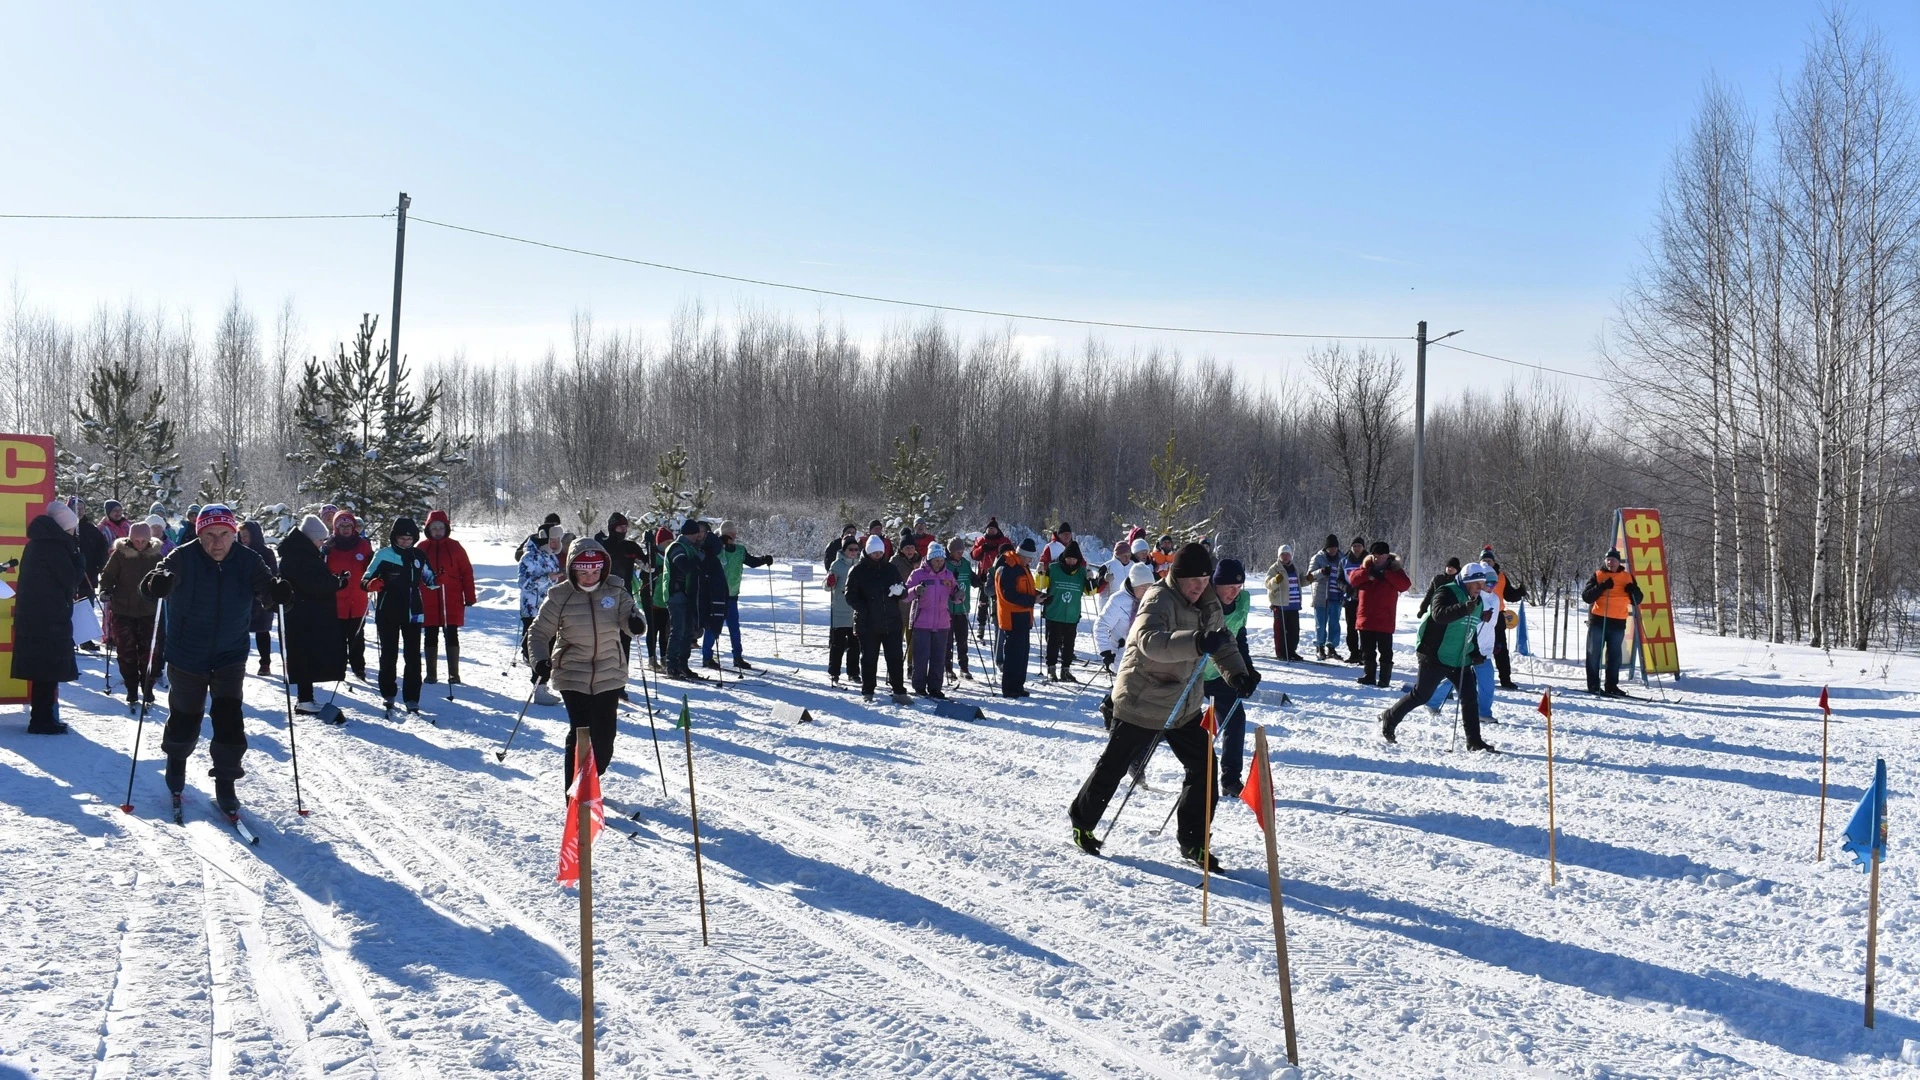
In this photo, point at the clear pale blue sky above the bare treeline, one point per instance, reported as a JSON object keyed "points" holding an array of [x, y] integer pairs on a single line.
{"points": [[1284, 168]]}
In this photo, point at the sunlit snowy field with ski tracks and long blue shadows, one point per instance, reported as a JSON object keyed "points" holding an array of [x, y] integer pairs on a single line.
{"points": [[896, 893]]}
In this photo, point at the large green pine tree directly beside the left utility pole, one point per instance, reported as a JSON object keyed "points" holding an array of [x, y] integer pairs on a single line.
{"points": [[368, 445]]}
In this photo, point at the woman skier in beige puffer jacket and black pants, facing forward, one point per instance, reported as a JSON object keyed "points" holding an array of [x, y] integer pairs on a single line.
{"points": [[575, 641]]}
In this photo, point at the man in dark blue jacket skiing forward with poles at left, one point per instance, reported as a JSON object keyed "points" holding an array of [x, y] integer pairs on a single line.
{"points": [[208, 589]]}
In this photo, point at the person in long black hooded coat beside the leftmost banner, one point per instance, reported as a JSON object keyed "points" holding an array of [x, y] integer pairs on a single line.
{"points": [[53, 576]]}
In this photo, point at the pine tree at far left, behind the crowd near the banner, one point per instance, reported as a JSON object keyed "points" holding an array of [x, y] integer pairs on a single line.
{"points": [[130, 447]]}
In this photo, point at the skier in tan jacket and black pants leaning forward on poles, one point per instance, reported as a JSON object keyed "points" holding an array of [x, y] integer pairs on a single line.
{"points": [[1178, 626]]}
